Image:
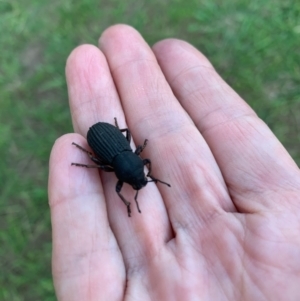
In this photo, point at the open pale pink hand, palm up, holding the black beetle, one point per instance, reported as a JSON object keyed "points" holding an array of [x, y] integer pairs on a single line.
{"points": [[227, 229]]}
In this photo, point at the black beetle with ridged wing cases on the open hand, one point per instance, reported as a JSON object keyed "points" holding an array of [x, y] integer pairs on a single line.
{"points": [[114, 154]]}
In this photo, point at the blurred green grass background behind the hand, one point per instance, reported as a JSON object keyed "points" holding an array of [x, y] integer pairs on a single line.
{"points": [[254, 45]]}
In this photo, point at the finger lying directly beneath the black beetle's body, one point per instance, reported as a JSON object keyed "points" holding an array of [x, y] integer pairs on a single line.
{"points": [[93, 98]]}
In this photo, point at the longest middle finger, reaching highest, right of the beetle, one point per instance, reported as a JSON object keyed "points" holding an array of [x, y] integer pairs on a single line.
{"points": [[176, 147]]}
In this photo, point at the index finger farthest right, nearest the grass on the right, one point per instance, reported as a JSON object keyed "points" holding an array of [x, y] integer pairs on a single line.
{"points": [[252, 160]]}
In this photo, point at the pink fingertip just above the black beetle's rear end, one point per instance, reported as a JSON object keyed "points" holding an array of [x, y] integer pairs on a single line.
{"points": [[92, 93]]}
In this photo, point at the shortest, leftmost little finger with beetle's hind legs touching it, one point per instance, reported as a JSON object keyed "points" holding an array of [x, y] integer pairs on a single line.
{"points": [[85, 252]]}
